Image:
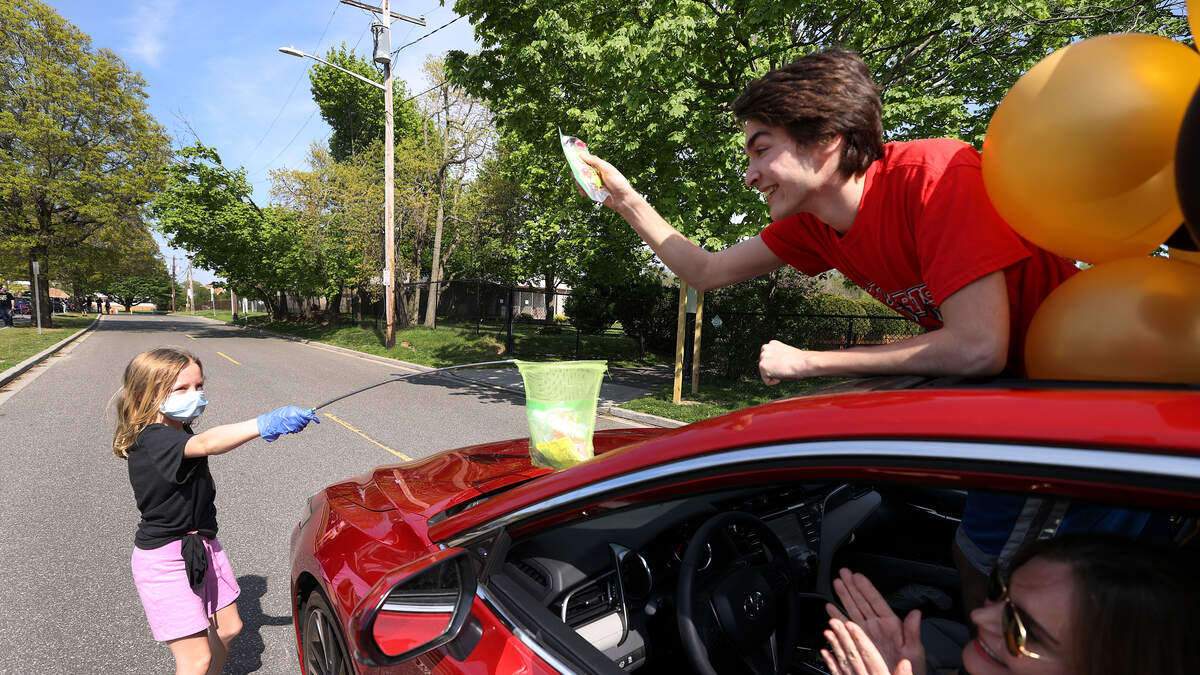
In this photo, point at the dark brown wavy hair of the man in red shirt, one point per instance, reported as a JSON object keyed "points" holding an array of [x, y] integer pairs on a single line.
{"points": [[817, 98]]}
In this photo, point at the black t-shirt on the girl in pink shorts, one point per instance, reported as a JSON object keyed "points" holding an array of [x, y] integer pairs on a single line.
{"points": [[176, 494]]}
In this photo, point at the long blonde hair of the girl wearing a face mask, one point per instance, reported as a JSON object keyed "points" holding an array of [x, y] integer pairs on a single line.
{"points": [[146, 386]]}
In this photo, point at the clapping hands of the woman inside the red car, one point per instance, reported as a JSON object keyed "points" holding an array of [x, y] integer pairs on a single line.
{"points": [[897, 644]]}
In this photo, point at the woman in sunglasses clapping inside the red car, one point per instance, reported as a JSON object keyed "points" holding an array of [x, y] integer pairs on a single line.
{"points": [[1087, 605]]}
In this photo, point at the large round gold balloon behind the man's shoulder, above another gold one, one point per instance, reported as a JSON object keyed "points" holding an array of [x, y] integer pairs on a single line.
{"points": [[1079, 157]]}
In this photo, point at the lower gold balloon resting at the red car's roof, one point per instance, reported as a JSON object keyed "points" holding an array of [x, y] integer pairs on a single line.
{"points": [[1136, 320]]}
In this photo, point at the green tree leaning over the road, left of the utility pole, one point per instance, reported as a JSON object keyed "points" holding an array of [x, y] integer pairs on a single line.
{"points": [[207, 210]]}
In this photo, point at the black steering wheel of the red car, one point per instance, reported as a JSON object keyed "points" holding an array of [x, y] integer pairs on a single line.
{"points": [[754, 606]]}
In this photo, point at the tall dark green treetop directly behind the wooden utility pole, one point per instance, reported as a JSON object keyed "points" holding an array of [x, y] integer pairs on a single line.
{"points": [[355, 109]]}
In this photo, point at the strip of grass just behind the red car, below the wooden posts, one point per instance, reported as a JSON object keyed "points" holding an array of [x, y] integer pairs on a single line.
{"points": [[719, 397]]}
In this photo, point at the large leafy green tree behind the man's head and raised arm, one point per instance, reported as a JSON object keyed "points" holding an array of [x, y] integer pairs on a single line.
{"points": [[650, 85]]}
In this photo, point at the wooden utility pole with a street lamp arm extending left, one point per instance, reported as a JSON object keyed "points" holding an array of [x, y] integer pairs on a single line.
{"points": [[389, 207]]}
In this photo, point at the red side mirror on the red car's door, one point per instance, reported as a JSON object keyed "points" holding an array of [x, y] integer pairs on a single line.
{"points": [[415, 608]]}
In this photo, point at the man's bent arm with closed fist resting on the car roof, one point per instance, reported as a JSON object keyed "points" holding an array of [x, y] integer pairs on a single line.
{"points": [[974, 341]]}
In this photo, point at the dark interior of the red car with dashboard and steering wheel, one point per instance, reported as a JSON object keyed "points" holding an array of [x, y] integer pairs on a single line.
{"points": [[736, 580]]}
